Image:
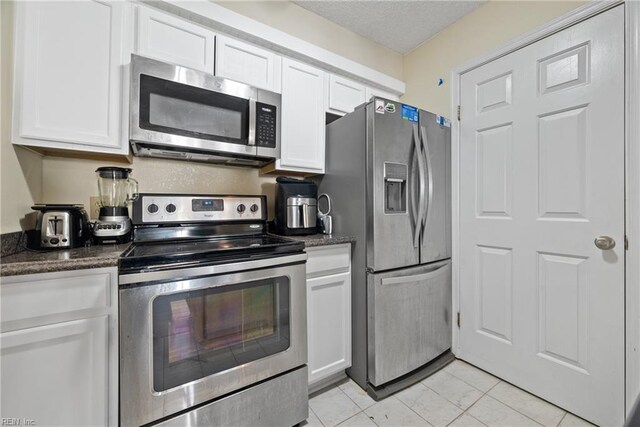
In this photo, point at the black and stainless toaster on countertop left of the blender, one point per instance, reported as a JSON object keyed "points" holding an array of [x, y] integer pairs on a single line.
{"points": [[59, 227]]}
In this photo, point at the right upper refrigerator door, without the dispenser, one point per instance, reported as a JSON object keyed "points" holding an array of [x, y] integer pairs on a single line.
{"points": [[436, 234]]}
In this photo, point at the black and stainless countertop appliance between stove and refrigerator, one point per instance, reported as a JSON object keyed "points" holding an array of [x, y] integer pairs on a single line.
{"points": [[296, 206]]}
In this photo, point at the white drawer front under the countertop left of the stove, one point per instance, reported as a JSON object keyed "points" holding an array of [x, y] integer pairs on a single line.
{"points": [[46, 295]]}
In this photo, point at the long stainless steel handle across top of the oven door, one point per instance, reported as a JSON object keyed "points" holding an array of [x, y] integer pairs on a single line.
{"points": [[210, 270]]}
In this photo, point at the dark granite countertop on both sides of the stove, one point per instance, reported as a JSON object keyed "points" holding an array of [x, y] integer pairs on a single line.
{"points": [[97, 256]]}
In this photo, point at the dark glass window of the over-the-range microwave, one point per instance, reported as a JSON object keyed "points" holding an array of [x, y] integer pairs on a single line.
{"points": [[179, 109]]}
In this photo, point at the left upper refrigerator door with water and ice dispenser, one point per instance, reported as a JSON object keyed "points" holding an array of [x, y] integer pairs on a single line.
{"points": [[391, 155]]}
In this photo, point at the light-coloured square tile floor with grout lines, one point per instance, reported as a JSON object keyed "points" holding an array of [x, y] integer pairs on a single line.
{"points": [[459, 395]]}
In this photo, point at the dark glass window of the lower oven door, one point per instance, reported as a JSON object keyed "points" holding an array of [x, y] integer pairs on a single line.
{"points": [[199, 333]]}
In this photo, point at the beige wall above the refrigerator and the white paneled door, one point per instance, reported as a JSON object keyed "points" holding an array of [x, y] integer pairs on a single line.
{"points": [[483, 30]]}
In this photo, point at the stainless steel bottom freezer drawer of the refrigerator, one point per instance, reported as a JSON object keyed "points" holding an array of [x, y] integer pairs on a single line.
{"points": [[399, 344]]}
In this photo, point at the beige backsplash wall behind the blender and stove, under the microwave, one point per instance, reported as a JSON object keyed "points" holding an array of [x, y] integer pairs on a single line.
{"points": [[74, 180]]}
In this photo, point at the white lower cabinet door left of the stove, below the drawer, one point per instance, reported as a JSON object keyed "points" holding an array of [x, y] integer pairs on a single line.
{"points": [[55, 374]]}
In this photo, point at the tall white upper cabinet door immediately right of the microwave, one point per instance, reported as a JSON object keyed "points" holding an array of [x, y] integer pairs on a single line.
{"points": [[303, 118]]}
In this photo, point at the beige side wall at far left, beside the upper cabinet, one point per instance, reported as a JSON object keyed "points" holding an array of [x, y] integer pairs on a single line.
{"points": [[20, 170]]}
